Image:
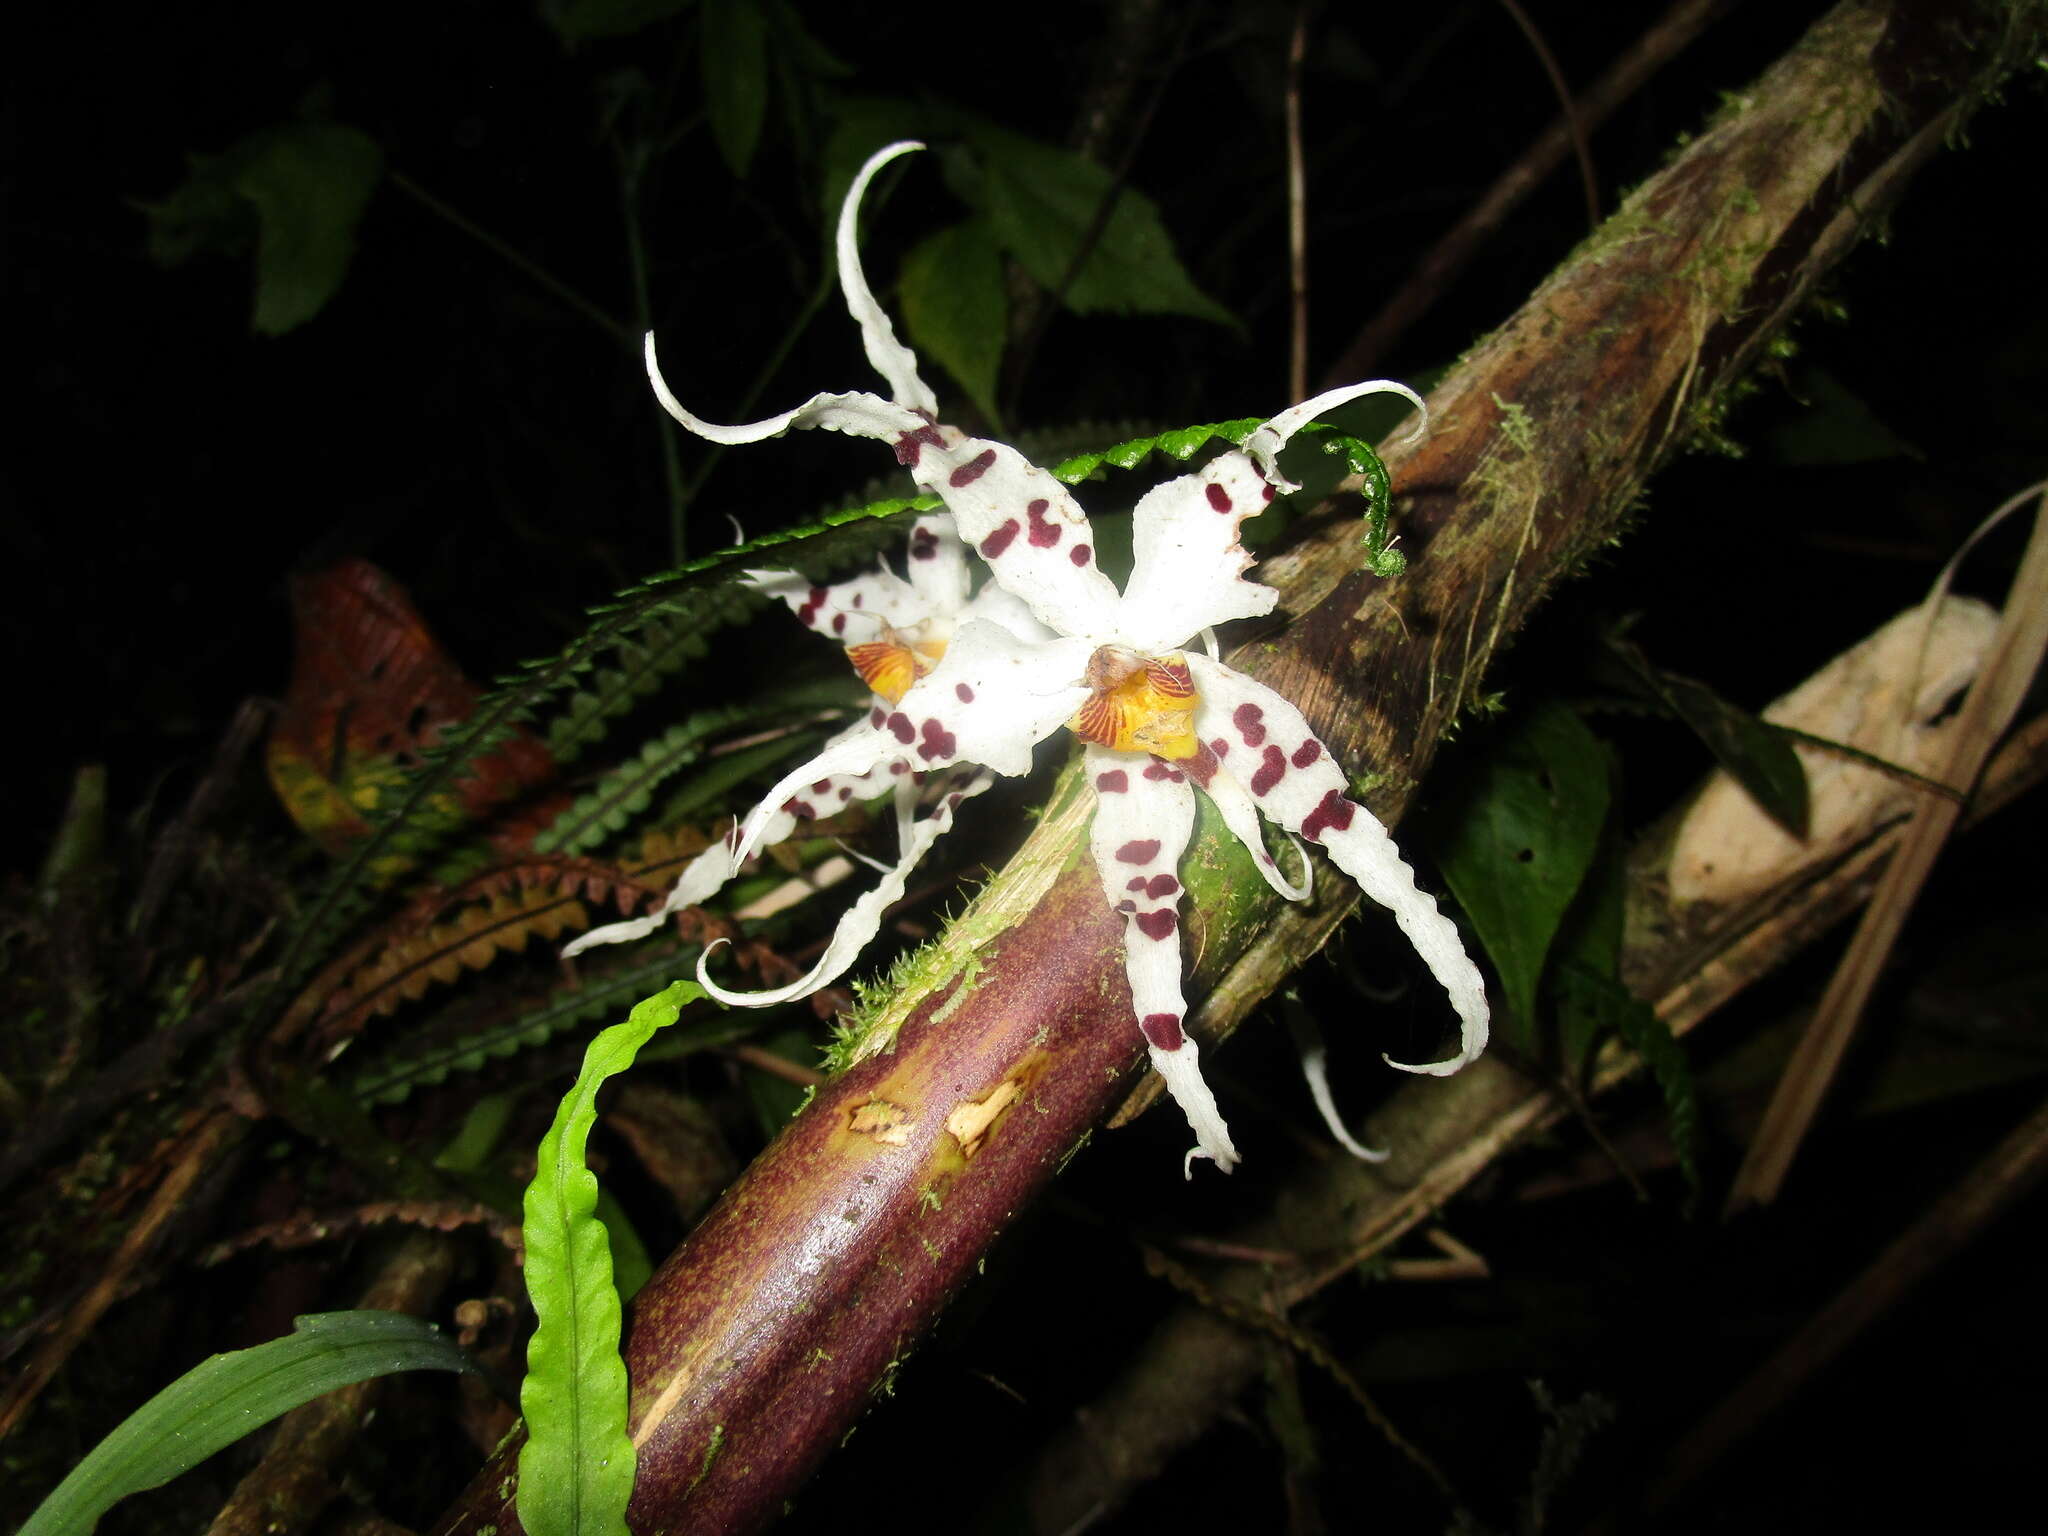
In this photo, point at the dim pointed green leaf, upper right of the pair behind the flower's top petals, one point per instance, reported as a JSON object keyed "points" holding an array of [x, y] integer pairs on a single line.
{"points": [[1043, 206]]}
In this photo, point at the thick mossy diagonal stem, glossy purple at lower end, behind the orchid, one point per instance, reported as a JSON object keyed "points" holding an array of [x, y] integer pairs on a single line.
{"points": [[761, 1340]]}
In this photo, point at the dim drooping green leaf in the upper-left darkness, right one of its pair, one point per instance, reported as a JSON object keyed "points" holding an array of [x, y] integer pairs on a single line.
{"points": [[308, 185]]}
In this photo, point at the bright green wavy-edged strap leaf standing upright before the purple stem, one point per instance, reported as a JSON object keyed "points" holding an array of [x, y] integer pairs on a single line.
{"points": [[577, 1467]]}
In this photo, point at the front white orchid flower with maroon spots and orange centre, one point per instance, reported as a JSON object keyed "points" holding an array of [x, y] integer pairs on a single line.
{"points": [[1158, 722]]}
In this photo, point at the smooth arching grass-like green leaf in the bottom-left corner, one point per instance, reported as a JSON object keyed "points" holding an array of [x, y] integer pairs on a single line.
{"points": [[230, 1396]]}
